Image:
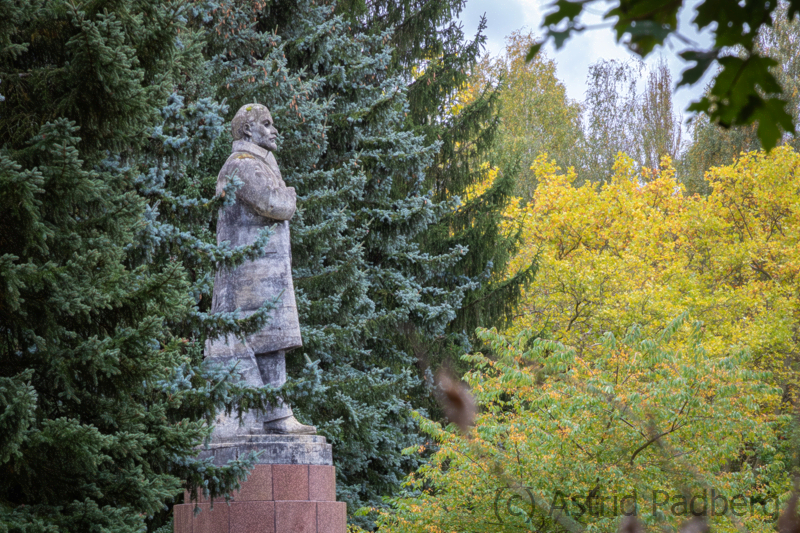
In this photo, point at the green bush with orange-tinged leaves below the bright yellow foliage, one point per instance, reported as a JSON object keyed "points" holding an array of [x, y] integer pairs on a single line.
{"points": [[645, 425]]}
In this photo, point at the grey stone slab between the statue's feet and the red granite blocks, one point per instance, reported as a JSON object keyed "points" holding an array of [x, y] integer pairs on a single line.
{"points": [[275, 449]]}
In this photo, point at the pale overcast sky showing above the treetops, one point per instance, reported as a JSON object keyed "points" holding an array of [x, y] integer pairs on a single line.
{"points": [[573, 60]]}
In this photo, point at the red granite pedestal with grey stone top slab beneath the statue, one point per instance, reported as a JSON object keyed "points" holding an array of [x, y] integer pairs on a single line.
{"points": [[292, 489]]}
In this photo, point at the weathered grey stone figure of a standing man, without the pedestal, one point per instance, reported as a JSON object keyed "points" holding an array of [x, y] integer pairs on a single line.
{"points": [[263, 200]]}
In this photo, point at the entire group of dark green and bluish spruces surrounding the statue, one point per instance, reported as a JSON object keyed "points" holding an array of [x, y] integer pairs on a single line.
{"points": [[113, 125]]}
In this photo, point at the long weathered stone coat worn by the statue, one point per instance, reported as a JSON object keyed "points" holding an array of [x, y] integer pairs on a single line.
{"points": [[262, 201]]}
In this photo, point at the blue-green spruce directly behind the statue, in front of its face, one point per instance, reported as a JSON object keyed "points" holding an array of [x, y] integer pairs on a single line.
{"points": [[360, 276]]}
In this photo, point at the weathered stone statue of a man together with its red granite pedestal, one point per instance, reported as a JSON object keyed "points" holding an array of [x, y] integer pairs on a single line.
{"points": [[293, 472]]}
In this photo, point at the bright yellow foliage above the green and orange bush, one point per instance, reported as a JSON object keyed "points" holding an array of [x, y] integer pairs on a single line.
{"points": [[636, 250]]}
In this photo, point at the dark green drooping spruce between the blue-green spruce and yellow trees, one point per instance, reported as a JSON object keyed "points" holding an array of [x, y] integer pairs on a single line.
{"points": [[434, 57]]}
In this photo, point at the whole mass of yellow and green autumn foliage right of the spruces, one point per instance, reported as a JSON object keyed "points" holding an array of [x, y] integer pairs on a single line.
{"points": [[647, 369]]}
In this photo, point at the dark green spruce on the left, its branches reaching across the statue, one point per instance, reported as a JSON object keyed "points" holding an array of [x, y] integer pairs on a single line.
{"points": [[104, 397]]}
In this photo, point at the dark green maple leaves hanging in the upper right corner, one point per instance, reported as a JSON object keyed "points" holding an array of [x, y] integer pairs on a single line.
{"points": [[745, 91]]}
